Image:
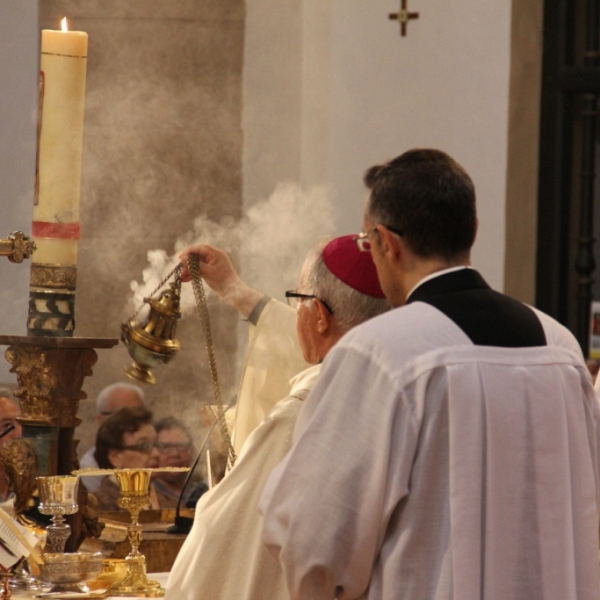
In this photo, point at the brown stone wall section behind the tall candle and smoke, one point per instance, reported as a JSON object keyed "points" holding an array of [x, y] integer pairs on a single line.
{"points": [[162, 145]]}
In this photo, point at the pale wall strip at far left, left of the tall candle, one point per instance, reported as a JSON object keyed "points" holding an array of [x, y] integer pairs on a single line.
{"points": [[19, 60]]}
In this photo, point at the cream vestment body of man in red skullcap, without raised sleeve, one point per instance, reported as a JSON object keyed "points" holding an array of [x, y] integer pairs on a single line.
{"points": [[223, 557]]}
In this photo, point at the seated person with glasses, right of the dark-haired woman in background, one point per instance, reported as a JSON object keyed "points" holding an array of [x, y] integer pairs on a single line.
{"points": [[175, 449]]}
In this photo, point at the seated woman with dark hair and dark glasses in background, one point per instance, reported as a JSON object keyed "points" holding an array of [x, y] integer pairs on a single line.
{"points": [[126, 440]]}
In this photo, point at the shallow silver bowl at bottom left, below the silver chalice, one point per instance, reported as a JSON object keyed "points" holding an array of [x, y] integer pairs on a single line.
{"points": [[68, 572]]}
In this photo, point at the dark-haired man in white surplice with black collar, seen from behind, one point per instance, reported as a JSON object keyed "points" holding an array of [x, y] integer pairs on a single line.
{"points": [[450, 448]]}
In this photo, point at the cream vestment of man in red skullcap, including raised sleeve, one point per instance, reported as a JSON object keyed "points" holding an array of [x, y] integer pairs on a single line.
{"points": [[223, 557]]}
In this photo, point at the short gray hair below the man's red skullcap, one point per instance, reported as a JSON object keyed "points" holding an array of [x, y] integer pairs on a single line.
{"points": [[350, 307]]}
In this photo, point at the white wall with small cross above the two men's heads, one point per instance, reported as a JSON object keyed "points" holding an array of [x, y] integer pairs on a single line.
{"points": [[368, 94]]}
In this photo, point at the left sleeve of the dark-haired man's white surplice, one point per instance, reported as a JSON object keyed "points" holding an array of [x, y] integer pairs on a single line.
{"points": [[326, 507]]}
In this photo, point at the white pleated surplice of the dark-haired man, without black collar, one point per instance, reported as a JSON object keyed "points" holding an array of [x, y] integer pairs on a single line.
{"points": [[479, 479]]}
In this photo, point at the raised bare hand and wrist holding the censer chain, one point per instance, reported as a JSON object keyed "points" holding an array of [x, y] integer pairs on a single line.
{"points": [[220, 275]]}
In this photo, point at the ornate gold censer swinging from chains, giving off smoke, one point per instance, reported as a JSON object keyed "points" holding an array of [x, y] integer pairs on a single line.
{"points": [[152, 342]]}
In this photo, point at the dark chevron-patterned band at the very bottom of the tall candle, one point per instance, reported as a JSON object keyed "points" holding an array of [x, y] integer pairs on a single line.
{"points": [[51, 314]]}
